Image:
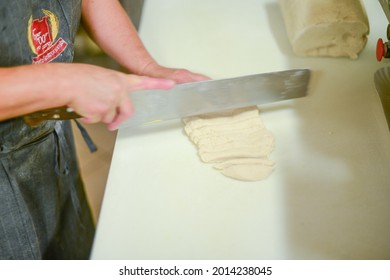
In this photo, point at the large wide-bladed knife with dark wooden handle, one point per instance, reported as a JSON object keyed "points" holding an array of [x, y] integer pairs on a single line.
{"points": [[202, 97]]}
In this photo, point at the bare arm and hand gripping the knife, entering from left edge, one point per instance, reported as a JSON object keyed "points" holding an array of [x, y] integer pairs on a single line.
{"points": [[98, 94]]}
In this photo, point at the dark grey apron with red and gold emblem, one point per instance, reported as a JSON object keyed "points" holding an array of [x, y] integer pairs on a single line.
{"points": [[44, 213]]}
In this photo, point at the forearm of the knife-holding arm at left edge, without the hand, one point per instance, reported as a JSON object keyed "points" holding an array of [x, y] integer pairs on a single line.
{"points": [[25, 89]]}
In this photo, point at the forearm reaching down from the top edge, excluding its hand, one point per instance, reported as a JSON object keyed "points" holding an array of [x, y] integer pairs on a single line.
{"points": [[110, 27]]}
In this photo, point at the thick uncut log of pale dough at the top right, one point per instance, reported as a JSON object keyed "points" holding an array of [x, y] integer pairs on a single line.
{"points": [[333, 28]]}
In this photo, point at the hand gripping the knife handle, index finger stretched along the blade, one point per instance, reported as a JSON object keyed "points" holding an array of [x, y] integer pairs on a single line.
{"points": [[102, 95]]}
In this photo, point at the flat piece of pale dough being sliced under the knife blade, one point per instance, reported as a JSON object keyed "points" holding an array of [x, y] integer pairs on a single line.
{"points": [[235, 141]]}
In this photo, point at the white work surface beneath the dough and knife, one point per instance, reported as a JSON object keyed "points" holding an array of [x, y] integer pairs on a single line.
{"points": [[329, 196]]}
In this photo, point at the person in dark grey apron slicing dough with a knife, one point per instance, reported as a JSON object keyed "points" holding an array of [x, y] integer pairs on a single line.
{"points": [[44, 212]]}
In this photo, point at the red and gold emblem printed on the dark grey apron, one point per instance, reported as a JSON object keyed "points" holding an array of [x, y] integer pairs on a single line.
{"points": [[42, 34]]}
